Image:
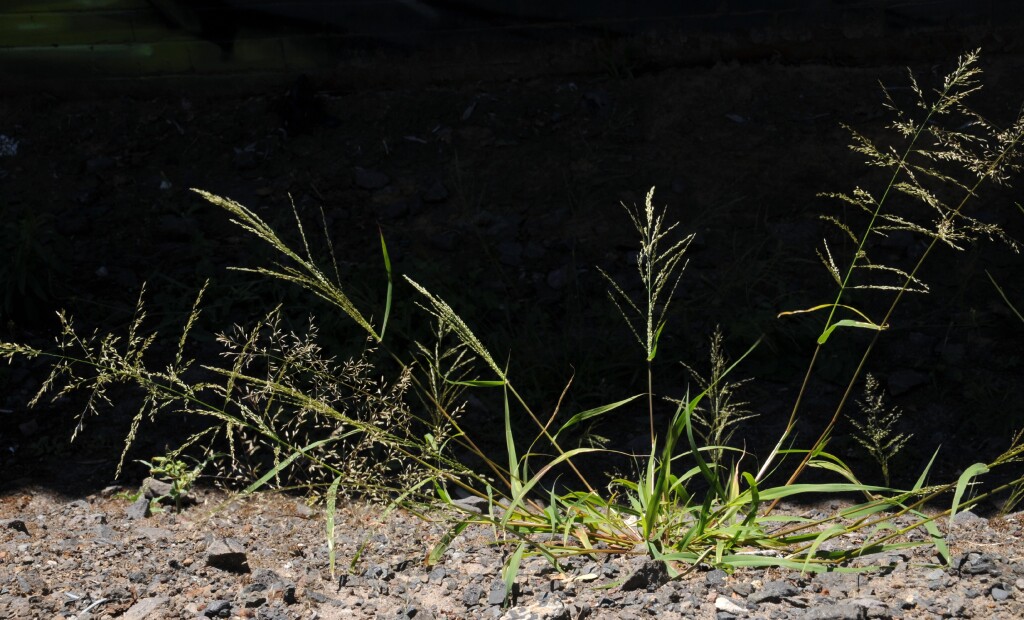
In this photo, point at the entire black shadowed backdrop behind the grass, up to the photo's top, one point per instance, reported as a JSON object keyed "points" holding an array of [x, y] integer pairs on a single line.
{"points": [[493, 149]]}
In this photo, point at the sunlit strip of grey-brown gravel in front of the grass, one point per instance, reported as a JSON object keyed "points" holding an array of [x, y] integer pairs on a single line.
{"points": [[266, 557]]}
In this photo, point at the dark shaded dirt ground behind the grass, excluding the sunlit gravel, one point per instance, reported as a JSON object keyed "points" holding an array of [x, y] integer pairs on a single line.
{"points": [[503, 197]]}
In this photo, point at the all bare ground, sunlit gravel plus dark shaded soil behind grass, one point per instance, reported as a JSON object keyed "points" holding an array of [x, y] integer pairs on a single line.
{"points": [[502, 197]]}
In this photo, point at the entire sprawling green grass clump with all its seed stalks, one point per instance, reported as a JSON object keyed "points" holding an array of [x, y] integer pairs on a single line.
{"points": [[292, 417]]}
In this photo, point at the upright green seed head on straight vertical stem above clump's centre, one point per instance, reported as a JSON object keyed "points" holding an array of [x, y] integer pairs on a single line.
{"points": [[660, 265]]}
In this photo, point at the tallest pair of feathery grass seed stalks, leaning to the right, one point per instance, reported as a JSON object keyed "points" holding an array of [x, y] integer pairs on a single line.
{"points": [[942, 170]]}
